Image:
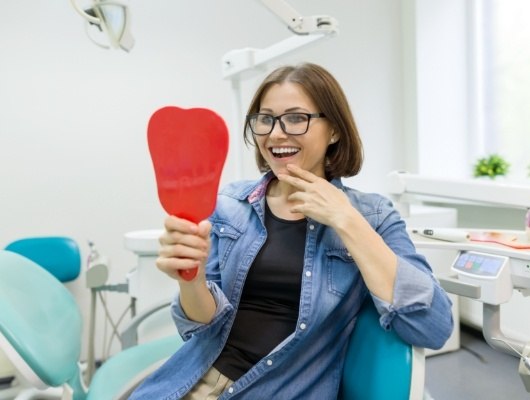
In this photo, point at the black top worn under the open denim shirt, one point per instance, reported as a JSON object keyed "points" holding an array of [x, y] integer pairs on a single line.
{"points": [[270, 300]]}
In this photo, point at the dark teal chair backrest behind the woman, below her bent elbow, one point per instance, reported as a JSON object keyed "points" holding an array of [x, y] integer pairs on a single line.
{"points": [[379, 364]]}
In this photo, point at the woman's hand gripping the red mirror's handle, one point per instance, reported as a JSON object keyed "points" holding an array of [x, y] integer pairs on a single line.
{"points": [[184, 245]]}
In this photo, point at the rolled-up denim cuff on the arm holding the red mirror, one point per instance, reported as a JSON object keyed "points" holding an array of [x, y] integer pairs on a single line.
{"points": [[188, 328]]}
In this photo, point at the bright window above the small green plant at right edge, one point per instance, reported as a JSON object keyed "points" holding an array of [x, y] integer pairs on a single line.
{"points": [[502, 42]]}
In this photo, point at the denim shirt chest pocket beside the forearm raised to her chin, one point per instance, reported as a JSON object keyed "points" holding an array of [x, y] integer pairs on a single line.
{"points": [[342, 272]]}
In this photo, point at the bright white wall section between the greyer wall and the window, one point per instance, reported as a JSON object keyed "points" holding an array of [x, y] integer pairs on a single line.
{"points": [[439, 122]]}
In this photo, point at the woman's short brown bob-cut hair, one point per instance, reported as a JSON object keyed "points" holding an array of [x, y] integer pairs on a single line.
{"points": [[345, 157]]}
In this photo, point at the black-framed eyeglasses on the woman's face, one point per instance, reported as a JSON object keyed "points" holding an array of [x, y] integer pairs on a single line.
{"points": [[291, 123]]}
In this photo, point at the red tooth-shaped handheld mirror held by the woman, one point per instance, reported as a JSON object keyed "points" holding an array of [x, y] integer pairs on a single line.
{"points": [[188, 148]]}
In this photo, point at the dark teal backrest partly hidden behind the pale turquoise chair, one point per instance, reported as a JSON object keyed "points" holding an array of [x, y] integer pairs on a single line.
{"points": [[57, 254]]}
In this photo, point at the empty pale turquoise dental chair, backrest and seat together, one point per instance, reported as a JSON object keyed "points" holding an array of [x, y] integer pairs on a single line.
{"points": [[41, 329]]}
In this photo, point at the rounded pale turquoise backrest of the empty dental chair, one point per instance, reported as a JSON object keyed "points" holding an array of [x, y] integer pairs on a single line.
{"points": [[40, 323]]}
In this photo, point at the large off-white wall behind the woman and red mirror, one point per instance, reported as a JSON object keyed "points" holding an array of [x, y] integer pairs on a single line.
{"points": [[73, 155]]}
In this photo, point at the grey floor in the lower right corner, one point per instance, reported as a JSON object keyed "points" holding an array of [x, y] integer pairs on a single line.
{"points": [[474, 372]]}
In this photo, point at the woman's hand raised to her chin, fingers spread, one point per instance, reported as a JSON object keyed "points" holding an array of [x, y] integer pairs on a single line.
{"points": [[316, 198]]}
